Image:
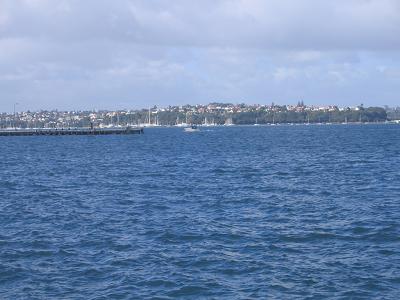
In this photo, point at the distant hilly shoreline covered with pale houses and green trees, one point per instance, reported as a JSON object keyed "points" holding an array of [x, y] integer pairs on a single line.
{"points": [[215, 113]]}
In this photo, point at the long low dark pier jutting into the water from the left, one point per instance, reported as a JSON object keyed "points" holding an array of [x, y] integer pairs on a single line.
{"points": [[70, 131]]}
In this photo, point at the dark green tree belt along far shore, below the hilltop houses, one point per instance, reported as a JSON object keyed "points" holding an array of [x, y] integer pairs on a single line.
{"points": [[170, 118]]}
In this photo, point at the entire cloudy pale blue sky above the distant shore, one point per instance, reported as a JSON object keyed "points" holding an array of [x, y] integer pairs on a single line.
{"points": [[128, 54]]}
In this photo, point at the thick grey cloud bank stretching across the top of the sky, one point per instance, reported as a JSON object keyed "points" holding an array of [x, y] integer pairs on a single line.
{"points": [[306, 24]]}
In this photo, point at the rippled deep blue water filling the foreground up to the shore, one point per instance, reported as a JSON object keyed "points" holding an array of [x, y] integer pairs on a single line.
{"points": [[227, 213]]}
